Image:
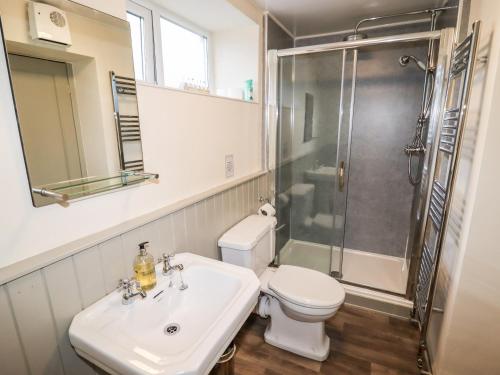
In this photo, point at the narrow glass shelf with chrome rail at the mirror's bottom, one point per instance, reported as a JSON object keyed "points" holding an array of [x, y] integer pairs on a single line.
{"points": [[81, 187]]}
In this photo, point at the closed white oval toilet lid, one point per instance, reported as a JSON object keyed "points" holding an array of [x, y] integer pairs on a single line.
{"points": [[307, 287]]}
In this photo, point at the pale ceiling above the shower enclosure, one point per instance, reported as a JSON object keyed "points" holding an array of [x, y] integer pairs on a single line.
{"points": [[309, 17]]}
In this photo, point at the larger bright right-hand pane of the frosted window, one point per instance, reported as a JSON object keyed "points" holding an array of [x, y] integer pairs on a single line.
{"points": [[184, 55]]}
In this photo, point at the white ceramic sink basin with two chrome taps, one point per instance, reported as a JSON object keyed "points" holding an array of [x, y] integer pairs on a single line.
{"points": [[131, 339]]}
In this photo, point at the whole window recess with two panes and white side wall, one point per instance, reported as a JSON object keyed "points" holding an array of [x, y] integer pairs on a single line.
{"points": [[177, 46]]}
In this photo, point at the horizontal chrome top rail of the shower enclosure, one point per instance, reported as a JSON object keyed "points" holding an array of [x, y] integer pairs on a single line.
{"points": [[353, 44]]}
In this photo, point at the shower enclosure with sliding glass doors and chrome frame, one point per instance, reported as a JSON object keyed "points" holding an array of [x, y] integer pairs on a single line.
{"points": [[339, 116]]}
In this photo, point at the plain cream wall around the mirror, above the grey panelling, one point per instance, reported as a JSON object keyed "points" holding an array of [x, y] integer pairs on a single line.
{"points": [[185, 137]]}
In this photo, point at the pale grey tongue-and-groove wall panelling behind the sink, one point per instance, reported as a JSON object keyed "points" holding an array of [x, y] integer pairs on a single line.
{"points": [[36, 309]]}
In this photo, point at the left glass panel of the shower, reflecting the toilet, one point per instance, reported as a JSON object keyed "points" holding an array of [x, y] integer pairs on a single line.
{"points": [[311, 170]]}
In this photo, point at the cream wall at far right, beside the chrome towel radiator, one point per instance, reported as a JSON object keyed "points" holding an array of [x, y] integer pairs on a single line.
{"points": [[469, 338]]}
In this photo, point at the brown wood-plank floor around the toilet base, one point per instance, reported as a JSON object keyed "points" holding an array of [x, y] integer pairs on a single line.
{"points": [[363, 342]]}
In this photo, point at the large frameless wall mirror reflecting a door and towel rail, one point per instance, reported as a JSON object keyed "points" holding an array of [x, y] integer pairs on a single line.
{"points": [[72, 76]]}
